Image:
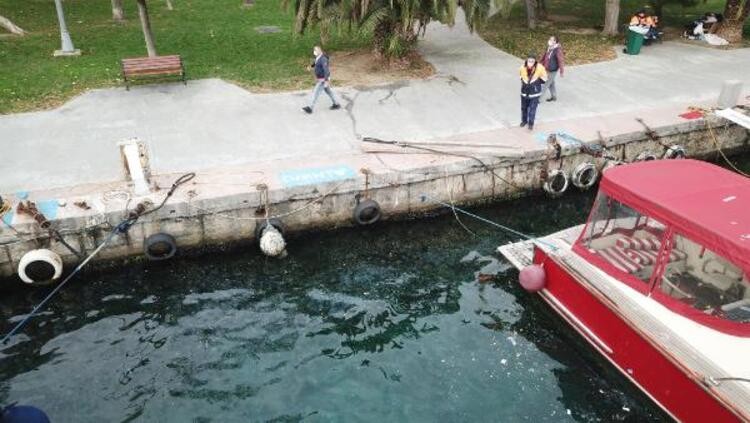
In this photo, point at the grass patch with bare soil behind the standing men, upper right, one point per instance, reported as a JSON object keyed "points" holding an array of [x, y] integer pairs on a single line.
{"points": [[577, 23]]}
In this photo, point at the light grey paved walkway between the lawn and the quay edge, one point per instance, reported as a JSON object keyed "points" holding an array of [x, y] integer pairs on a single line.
{"points": [[211, 123]]}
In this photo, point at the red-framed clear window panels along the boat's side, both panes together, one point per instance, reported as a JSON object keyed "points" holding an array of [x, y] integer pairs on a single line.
{"points": [[658, 260]]}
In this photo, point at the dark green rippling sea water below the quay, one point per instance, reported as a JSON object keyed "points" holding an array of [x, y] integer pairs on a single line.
{"points": [[385, 324]]}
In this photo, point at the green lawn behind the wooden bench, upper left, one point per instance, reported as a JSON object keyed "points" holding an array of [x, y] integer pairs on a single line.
{"points": [[216, 38]]}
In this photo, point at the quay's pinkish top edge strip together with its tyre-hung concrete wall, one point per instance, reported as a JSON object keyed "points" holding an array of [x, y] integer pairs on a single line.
{"points": [[223, 205]]}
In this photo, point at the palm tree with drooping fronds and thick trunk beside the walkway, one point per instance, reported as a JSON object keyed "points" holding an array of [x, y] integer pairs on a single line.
{"points": [[395, 24]]}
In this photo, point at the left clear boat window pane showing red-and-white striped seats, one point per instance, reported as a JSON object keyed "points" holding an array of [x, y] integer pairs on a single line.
{"points": [[622, 239]]}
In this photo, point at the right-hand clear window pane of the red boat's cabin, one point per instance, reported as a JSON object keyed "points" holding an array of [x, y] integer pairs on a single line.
{"points": [[706, 281]]}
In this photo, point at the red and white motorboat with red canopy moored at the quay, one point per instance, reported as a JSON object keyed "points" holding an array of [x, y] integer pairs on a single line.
{"points": [[657, 281]]}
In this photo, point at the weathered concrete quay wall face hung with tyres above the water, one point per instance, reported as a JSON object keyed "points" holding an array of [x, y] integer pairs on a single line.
{"points": [[205, 220]]}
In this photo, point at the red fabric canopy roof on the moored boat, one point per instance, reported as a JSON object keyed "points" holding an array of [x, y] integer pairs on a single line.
{"points": [[704, 202]]}
